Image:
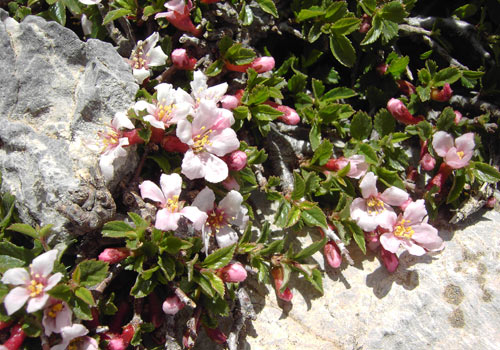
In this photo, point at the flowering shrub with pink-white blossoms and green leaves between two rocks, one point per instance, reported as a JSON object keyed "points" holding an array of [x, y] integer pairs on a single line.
{"points": [[362, 143]]}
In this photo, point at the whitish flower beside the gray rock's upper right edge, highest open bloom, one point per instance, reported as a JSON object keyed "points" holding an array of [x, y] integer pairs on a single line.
{"points": [[146, 55]]}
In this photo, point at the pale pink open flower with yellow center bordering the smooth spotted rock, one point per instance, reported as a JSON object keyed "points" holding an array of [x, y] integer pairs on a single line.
{"points": [[412, 231]]}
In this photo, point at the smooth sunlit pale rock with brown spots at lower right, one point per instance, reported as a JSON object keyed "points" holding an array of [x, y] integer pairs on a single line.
{"points": [[448, 301]]}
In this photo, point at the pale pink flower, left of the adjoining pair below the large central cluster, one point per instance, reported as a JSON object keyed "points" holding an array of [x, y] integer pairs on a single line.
{"points": [[171, 208]]}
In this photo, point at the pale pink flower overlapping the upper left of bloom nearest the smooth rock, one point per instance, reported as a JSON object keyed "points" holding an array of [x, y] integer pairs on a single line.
{"points": [[373, 209]]}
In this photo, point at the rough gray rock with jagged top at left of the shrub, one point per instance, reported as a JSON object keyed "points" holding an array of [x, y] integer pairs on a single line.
{"points": [[57, 93]]}
